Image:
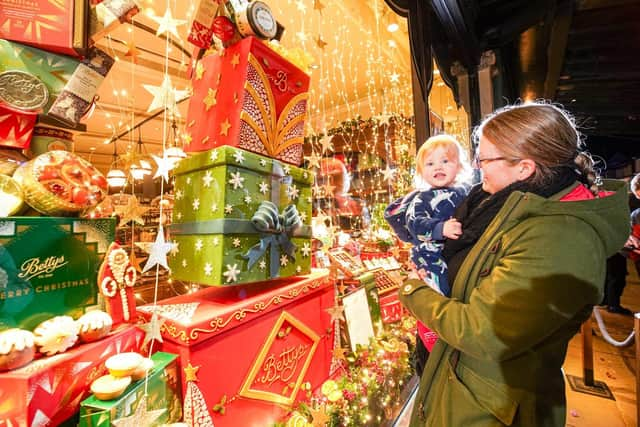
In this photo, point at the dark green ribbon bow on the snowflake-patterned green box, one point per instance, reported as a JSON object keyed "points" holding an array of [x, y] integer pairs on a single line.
{"points": [[275, 232]]}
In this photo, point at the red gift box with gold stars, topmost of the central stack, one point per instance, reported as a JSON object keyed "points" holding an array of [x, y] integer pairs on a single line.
{"points": [[249, 97]]}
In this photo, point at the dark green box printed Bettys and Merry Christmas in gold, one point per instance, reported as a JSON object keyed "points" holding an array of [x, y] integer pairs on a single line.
{"points": [[49, 267]]}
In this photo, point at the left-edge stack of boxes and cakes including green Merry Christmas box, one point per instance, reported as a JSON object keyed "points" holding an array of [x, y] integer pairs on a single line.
{"points": [[53, 338]]}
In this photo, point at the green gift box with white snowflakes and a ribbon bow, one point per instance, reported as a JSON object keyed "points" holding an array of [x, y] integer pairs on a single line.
{"points": [[240, 217]]}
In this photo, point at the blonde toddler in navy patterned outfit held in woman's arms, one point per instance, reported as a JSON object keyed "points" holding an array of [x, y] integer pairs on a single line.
{"points": [[424, 218]]}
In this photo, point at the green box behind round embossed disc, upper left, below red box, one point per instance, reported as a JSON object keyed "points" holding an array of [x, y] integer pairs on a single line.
{"points": [[53, 70]]}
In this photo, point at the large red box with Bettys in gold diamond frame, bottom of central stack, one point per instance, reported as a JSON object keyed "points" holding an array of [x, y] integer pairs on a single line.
{"points": [[255, 347]]}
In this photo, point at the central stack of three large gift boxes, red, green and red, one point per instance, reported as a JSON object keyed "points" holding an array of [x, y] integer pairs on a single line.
{"points": [[259, 338]]}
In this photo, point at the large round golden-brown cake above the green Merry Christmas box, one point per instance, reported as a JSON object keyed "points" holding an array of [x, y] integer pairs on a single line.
{"points": [[61, 183]]}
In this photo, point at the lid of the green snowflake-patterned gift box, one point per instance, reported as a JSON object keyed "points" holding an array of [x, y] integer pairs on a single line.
{"points": [[225, 155]]}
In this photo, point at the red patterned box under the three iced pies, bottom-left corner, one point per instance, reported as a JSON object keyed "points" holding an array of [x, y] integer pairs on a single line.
{"points": [[49, 390]]}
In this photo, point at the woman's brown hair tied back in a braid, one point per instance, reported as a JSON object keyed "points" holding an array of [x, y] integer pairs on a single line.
{"points": [[542, 132]]}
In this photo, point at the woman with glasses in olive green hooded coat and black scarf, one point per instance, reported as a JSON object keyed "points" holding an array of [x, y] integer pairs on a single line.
{"points": [[525, 273]]}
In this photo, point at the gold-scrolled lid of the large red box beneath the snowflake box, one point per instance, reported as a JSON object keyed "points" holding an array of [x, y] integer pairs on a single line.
{"points": [[194, 318]]}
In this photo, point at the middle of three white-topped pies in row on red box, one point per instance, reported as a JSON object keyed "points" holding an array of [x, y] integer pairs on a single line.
{"points": [[56, 335]]}
